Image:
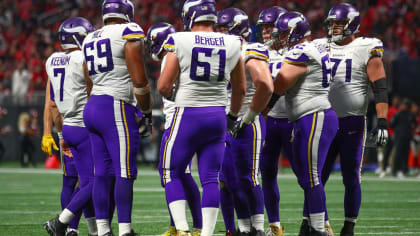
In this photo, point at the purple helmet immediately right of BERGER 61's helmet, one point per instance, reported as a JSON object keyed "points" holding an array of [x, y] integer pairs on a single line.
{"points": [[236, 21]]}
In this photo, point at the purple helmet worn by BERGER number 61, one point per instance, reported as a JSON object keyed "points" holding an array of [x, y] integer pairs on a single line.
{"points": [[198, 10]]}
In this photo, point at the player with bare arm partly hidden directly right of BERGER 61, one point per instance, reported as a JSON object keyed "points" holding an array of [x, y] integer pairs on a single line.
{"points": [[244, 147]]}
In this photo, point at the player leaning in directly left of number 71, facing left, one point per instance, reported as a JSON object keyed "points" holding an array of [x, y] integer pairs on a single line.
{"points": [[304, 78]]}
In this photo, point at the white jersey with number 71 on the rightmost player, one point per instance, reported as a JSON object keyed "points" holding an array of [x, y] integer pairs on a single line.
{"points": [[349, 89]]}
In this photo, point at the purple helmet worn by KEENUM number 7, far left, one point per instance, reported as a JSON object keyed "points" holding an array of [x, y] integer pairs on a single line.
{"points": [[73, 31]]}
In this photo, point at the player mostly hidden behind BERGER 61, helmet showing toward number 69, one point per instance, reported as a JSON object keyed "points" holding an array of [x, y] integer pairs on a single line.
{"points": [[156, 37]]}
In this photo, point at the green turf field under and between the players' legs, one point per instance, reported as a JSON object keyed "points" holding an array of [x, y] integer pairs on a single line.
{"points": [[29, 197]]}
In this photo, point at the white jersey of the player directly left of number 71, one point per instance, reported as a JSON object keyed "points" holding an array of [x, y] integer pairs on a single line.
{"points": [[310, 93]]}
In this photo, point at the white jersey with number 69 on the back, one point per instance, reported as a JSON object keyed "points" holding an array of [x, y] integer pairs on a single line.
{"points": [[105, 59]]}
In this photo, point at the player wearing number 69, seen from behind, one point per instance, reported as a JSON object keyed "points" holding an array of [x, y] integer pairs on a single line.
{"points": [[114, 58]]}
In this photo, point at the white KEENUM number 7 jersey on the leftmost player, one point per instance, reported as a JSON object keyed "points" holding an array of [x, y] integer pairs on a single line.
{"points": [[68, 85]]}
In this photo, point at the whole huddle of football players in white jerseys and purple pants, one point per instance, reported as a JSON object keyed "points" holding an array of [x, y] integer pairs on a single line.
{"points": [[234, 104]]}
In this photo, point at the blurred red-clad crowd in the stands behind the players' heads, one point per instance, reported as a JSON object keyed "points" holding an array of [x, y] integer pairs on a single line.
{"points": [[28, 31]]}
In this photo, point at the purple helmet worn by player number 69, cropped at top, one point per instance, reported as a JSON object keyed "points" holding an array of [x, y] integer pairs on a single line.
{"points": [[123, 9]]}
